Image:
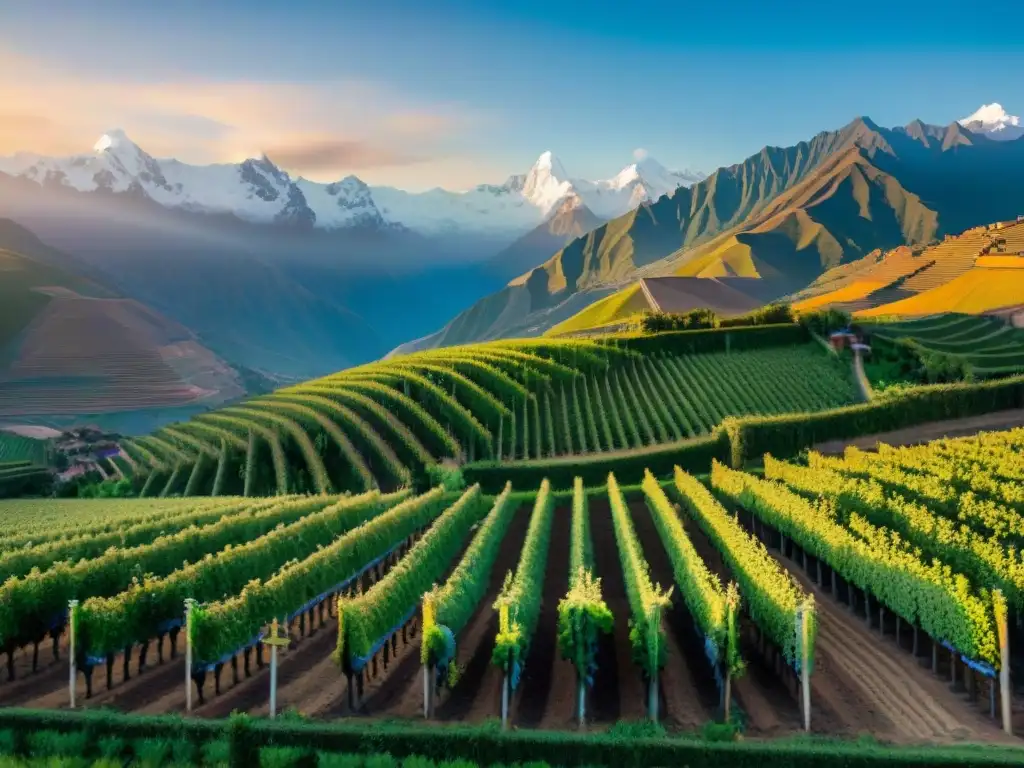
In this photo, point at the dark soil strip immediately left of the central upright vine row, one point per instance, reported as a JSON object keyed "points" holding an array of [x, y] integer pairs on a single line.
{"points": [[546, 697]]}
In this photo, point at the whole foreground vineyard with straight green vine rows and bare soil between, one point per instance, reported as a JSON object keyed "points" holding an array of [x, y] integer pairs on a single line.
{"points": [[889, 581]]}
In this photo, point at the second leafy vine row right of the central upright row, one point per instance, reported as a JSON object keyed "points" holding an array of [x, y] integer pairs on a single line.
{"points": [[701, 589]]}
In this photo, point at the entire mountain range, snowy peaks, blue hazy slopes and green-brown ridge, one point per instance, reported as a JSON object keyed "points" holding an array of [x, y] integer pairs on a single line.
{"points": [[286, 278]]}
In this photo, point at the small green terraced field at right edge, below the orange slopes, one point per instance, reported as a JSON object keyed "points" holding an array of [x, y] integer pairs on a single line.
{"points": [[992, 347]]}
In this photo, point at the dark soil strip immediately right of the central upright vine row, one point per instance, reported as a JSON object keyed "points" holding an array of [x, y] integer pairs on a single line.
{"points": [[619, 692]]}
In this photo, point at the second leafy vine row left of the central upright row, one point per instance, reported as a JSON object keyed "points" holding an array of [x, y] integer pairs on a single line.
{"points": [[453, 604]]}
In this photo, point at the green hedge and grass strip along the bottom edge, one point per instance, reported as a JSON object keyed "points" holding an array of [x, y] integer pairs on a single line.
{"points": [[245, 742]]}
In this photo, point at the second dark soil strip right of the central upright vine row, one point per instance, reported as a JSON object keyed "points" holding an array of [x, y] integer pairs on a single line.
{"points": [[688, 681]]}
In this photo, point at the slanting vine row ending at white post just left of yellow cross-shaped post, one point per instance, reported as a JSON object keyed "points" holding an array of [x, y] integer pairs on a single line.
{"points": [[223, 627]]}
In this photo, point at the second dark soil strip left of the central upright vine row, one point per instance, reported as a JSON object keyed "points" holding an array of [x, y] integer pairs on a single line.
{"points": [[479, 696]]}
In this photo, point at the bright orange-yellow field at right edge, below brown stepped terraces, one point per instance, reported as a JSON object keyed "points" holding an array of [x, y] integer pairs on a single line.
{"points": [[979, 290]]}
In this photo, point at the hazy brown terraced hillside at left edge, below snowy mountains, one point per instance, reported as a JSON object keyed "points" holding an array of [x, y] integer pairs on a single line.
{"points": [[71, 347]]}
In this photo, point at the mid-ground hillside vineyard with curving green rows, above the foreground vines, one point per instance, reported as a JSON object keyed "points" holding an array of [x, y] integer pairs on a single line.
{"points": [[380, 425]]}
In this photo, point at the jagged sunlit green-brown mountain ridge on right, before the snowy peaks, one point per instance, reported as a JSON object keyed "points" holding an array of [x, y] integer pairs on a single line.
{"points": [[789, 215]]}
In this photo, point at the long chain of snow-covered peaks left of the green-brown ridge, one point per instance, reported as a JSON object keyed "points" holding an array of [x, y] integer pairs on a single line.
{"points": [[261, 192]]}
